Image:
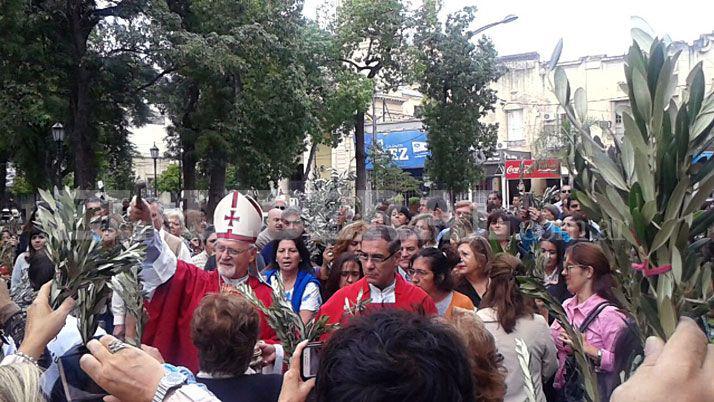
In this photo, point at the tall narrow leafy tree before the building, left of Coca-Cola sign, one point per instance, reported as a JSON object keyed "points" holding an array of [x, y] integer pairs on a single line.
{"points": [[455, 77]]}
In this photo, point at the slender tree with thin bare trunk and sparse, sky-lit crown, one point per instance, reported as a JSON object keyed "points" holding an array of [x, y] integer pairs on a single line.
{"points": [[372, 36]]}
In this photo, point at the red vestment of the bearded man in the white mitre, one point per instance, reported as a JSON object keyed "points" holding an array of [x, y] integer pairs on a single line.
{"points": [[171, 308]]}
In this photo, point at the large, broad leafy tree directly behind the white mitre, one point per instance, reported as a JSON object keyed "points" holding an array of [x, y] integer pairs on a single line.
{"points": [[248, 89]]}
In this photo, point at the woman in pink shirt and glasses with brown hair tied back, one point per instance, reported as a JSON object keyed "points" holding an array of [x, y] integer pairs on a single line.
{"points": [[588, 276]]}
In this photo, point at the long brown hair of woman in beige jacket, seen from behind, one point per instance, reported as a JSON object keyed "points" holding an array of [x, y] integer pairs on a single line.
{"points": [[503, 294]]}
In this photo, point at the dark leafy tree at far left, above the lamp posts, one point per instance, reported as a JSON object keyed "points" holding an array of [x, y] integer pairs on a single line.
{"points": [[84, 63]]}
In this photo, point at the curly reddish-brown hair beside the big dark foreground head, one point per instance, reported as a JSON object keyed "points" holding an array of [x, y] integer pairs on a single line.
{"points": [[487, 369]]}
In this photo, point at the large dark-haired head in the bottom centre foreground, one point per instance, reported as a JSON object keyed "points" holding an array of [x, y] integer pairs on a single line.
{"points": [[394, 355]]}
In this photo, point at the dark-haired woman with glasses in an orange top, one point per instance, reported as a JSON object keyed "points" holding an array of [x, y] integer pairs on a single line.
{"points": [[431, 271]]}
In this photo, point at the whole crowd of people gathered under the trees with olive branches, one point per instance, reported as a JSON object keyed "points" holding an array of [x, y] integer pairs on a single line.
{"points": [[426, 300]]}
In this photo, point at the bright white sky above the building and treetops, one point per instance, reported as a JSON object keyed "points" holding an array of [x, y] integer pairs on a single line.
{"points": [[587, 27]]}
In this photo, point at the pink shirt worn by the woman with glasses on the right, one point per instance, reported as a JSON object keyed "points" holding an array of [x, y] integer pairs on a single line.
{"points": [[602, 332]]}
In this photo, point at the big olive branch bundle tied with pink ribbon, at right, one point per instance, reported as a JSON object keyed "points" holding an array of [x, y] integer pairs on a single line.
{"points": [[649, 171]]}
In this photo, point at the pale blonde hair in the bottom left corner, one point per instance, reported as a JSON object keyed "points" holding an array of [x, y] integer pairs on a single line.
{"points": [[20, 383]]}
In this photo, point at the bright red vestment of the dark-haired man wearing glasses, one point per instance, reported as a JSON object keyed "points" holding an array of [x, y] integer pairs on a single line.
{"points": [[406, 296]]}
